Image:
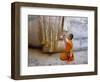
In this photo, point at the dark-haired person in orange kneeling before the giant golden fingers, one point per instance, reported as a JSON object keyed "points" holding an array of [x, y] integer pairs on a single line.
{"points": [[67, 55]]}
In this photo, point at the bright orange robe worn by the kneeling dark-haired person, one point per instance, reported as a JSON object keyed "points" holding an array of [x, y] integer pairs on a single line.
{"points": [[67, 55]]}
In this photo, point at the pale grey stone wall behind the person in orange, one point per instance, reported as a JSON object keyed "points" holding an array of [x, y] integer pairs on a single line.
{"points": [[78, 26]]}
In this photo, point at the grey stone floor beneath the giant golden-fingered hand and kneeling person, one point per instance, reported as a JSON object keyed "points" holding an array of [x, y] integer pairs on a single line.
{"points": [[38, 58]]}
